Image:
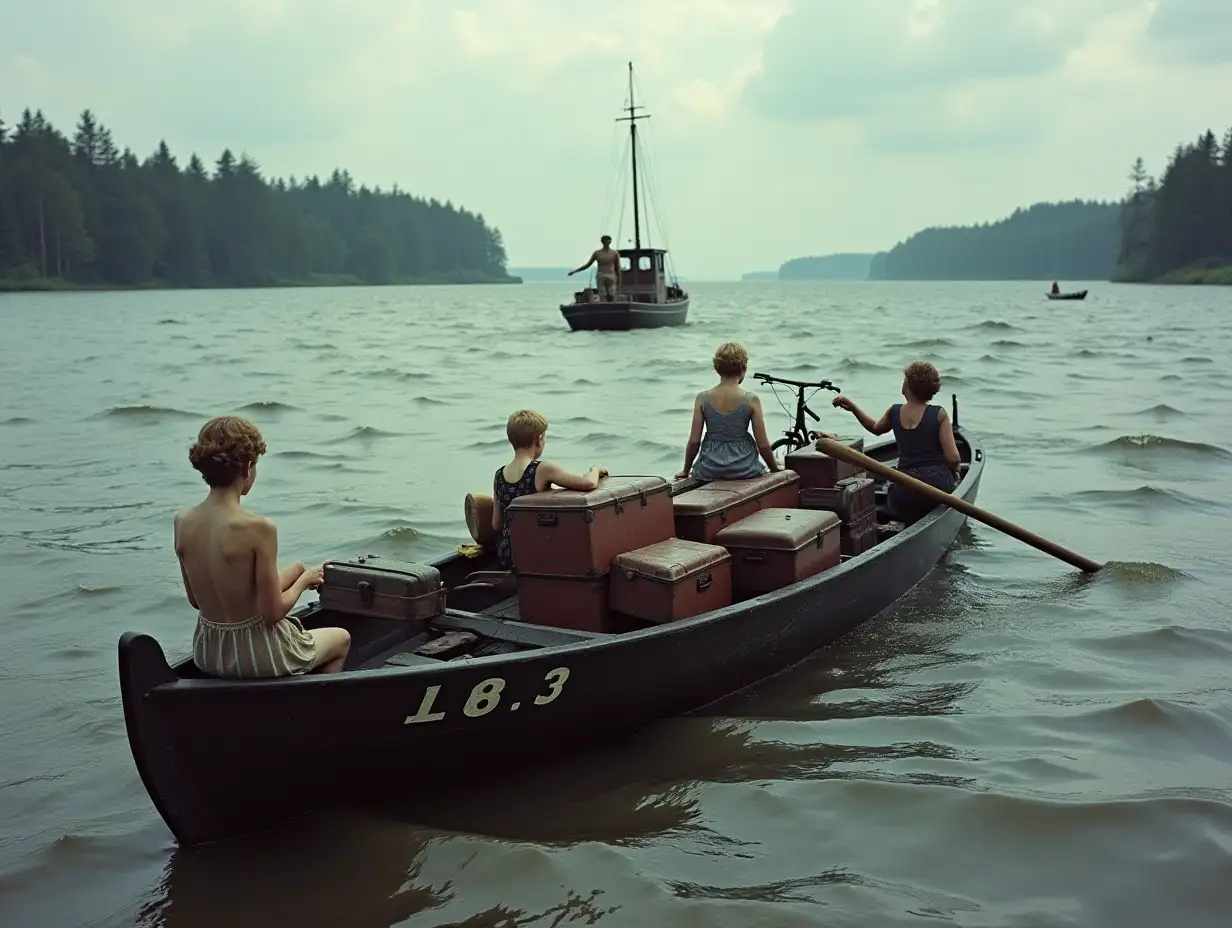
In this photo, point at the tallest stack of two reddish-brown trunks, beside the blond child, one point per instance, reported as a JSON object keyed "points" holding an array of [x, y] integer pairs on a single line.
{"points": [[564, 544]]}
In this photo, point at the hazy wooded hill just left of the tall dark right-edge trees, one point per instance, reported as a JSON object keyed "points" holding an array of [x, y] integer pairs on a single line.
{"points": [[1068, 241]]}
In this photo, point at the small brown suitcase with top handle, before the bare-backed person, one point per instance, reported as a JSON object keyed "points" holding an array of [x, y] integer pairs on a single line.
{"points": [[408, 593]]}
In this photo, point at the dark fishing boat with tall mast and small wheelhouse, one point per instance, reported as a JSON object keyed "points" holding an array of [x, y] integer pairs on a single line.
{"points": [[646, 299]]}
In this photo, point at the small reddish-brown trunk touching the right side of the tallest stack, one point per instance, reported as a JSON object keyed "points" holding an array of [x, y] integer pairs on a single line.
{"points": [[673, 580]]}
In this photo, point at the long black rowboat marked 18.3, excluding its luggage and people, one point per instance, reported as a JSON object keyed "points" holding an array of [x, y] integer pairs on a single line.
{"points": [[221, 759]]}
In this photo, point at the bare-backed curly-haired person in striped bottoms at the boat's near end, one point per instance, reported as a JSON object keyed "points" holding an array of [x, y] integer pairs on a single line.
{"points": [[229, 561]]}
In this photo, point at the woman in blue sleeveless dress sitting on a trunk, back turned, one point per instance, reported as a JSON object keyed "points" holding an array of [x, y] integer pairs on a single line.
{"points": [[729, 452]]}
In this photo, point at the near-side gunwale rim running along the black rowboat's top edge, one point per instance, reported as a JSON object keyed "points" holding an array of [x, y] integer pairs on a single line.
{"points": [[630, 639]]}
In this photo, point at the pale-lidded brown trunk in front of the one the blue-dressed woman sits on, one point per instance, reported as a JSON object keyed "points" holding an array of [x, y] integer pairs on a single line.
{"points": [[777, 548]]}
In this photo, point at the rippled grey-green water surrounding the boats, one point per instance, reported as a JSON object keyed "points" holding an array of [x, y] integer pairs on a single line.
{"points": [[1011, 745]]}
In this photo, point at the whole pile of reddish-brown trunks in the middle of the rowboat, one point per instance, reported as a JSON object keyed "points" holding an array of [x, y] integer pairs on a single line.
{"points": [[645, 549]]}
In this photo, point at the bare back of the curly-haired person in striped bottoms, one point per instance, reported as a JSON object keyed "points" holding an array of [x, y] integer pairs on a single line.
{"points": [[217, 552]]}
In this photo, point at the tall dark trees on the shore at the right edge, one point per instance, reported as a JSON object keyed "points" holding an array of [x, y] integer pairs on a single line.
{"points": [[1180, 227]]}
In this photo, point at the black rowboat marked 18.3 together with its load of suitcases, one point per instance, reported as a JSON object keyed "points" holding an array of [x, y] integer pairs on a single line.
{"points": [[634, 603]]}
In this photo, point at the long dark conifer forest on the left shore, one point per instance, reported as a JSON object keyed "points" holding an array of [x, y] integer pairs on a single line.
{"points": [[82, 213]]}
